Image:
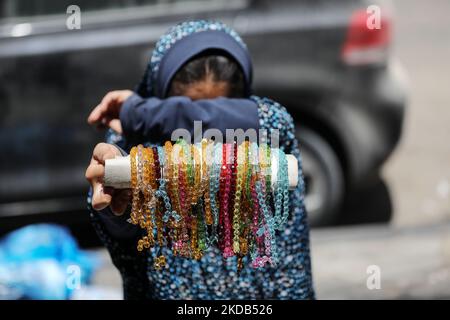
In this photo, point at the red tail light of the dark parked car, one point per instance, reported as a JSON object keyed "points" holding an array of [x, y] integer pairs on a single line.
{"points": [[365, 45]]}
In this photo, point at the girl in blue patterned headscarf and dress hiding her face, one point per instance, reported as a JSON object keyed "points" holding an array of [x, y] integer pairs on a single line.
{"points": [[199, 70]]}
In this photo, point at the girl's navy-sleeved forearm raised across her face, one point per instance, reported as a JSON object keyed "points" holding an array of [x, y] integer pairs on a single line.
{"points": [[153, 120]]}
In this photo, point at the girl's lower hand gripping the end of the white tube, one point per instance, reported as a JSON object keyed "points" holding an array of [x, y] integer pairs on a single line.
{"points": [[102, 197]]}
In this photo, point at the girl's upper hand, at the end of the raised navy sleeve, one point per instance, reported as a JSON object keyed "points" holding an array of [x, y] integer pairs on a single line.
{"points": [[106, 114]]}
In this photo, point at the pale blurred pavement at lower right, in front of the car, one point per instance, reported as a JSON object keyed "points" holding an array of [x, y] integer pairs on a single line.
{"points": [[413, 262]]}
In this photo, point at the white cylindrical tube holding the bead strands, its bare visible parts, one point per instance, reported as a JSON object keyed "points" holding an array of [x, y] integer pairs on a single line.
{"points": [[118, 172]]}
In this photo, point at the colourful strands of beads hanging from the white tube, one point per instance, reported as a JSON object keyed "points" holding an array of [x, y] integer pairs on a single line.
{"points": [[188, 198]]}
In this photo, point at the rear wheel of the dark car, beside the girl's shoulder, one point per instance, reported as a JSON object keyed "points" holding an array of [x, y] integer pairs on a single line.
{"points": [[324, 178]]}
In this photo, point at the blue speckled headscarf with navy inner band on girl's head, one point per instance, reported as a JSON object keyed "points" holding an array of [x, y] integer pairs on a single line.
{"points": [[183, 42]]}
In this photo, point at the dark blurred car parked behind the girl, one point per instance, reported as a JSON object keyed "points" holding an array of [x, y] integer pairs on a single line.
{"points": [[318, 58]]}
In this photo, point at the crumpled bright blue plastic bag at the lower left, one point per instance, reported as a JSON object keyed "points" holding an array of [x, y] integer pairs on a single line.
{"points": [[43, 261]]}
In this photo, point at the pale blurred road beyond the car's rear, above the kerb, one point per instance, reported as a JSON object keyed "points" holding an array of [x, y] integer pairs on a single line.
{"points": [[418, 173]]}
